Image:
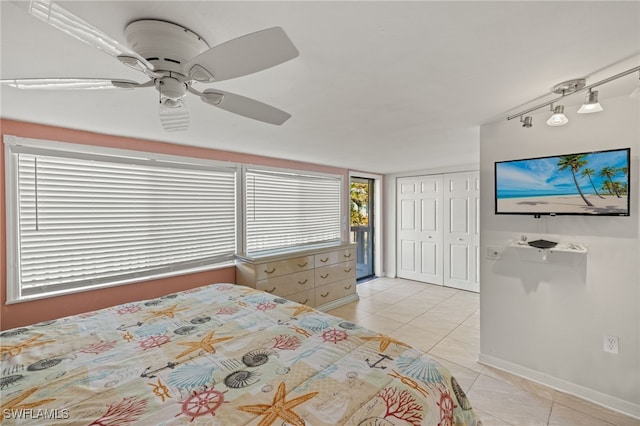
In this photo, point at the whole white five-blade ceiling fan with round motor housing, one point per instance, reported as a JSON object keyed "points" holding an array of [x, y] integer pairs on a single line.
{"points": [[173, 58]]}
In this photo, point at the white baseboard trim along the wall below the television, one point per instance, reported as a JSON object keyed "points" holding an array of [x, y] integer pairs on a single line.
{"points": [[595, 397]]}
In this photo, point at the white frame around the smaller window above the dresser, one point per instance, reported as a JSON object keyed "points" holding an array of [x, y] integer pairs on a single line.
{"points": [[243, 249]]}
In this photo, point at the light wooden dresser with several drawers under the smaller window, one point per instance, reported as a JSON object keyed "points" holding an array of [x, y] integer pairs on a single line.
{"points": [[322, 277]]}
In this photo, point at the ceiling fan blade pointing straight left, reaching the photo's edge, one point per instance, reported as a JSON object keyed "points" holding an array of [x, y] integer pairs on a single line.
{"points": [[71, 83]]}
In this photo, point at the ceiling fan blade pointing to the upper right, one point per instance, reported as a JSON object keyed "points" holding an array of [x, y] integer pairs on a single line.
{"points": [[243, 55]]}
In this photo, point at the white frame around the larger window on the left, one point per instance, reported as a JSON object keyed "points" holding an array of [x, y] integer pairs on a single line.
{"points": [[13, 144]]}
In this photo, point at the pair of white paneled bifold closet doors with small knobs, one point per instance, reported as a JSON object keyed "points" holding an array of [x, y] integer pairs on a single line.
{"points": [[438, 229]]}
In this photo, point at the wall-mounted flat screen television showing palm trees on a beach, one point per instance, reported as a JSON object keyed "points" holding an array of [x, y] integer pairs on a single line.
{"points": [[587, 183]]}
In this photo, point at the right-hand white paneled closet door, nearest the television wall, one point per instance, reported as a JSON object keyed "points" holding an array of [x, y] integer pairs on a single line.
{"points": [[461, 231]]}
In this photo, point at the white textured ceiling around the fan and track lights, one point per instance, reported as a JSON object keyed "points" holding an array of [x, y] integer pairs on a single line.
{"points": [[380, 87]]}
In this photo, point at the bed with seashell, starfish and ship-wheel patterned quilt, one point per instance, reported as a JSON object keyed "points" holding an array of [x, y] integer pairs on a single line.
{"points": [[221, 354]]}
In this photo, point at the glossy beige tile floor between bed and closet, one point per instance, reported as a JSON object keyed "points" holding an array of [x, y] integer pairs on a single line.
{"points": [[446, 323]]}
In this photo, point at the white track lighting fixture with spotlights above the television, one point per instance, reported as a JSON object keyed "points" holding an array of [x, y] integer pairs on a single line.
{"points": [[571, 87]]}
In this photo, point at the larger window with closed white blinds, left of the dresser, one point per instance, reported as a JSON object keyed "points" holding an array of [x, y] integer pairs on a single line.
{"points": [[83, 217]]}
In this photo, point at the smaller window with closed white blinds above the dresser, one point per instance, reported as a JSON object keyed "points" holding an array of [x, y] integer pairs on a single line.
{"points": [[285, 209]]}
